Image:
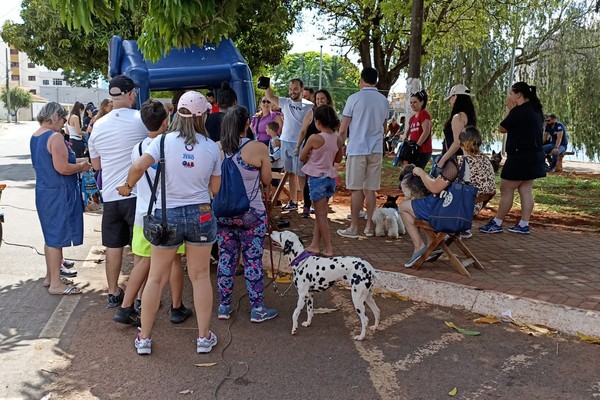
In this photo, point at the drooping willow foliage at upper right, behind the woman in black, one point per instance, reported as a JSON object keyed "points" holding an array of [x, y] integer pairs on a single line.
{"points": [[557, 51]]}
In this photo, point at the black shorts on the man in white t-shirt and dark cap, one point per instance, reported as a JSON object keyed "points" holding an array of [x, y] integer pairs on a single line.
{"points": [[117, 223]]}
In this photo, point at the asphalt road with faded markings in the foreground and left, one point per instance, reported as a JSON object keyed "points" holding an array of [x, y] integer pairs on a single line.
{"points": [[70, 348]]}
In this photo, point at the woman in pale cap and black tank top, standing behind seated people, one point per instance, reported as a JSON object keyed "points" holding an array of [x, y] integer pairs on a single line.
{"points": [[462, 114]]}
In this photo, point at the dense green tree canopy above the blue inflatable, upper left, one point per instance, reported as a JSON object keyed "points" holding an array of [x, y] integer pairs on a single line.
{"points": [[73, 35]]}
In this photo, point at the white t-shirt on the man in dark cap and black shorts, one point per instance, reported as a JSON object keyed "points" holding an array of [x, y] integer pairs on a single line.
{"points": [[114, 136]]}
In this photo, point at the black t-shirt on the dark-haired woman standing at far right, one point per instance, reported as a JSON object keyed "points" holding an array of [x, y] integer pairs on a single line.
{"points": [[524, 126]]}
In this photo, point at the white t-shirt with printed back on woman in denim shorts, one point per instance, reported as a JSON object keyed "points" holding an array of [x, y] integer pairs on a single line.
{"points": [[189, 168]]}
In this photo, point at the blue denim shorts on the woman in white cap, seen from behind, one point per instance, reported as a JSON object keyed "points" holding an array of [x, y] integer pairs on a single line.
{"points": [[196, 225]]}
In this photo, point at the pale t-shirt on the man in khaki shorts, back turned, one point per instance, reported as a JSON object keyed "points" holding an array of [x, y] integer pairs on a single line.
{"points": [[368, 109]]}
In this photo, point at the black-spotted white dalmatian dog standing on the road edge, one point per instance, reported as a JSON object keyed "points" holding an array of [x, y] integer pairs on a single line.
{"points": [[313, 273]]}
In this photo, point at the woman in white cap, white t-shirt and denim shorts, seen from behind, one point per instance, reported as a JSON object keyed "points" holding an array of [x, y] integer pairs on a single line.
{"points": [[193, 172]]}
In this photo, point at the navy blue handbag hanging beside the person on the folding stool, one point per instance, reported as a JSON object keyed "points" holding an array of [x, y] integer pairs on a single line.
{"points": [[453, 210]]}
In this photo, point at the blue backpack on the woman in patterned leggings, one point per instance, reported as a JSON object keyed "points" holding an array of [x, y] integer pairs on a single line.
{"points": [[232, 199]]}
